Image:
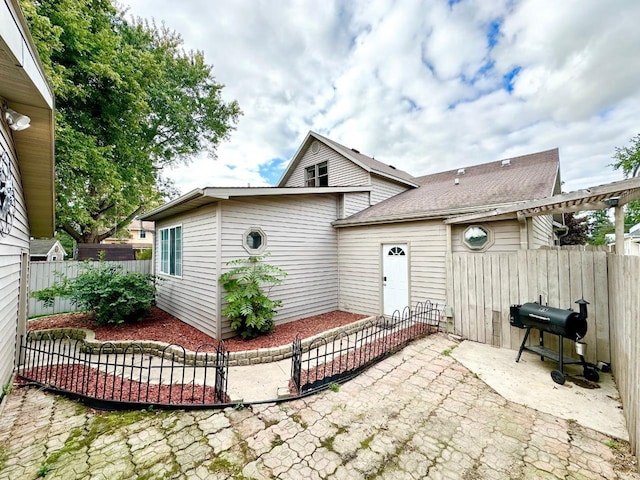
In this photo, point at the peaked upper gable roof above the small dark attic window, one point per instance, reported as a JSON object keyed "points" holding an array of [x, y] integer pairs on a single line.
{"points": [[363, 161]]}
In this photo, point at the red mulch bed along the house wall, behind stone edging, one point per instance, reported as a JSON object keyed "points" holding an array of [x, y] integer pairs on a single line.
{"points": [[162, 327]]}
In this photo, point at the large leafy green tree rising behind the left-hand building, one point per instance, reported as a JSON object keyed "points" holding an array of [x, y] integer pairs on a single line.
{"points": [[129, 101]]}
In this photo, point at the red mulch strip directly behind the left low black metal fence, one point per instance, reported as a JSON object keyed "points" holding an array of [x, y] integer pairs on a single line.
{"points": [[105, 386]]}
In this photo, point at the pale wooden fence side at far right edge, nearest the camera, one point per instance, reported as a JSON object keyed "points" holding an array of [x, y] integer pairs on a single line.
{"points": [[624, 307]]}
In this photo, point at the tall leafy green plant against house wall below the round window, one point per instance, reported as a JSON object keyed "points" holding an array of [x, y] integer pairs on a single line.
{"points": [[249, 308]]}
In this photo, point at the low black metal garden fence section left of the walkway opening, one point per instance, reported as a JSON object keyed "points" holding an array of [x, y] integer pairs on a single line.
{"points": [[115, 375]]}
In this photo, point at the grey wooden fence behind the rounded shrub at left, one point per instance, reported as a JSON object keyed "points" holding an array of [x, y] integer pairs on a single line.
{"points": [[44, 274]]}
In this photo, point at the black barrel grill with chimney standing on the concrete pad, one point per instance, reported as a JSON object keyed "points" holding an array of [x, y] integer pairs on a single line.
{"points": [[563, 323]]}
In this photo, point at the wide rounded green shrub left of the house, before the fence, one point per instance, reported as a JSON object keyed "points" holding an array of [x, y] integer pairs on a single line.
{"points": [[114, 295]]}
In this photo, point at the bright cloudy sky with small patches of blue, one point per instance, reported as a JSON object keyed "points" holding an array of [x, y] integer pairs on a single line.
{"points": [[424, 85]]}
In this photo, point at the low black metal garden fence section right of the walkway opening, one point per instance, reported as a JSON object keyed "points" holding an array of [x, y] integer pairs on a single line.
{"points": [[342, 357]]}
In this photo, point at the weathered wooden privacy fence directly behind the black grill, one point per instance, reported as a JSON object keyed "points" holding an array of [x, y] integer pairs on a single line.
{"points": [[484, 286]]}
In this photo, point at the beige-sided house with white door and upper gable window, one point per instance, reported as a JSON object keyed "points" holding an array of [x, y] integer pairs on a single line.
{"points": [[353, 233]]}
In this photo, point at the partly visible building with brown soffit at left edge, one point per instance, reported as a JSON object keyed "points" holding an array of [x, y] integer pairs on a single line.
{"points": [[26, 172]]}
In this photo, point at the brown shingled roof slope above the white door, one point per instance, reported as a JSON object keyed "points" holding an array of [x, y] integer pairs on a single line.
{"points": [[503, 182]]}
